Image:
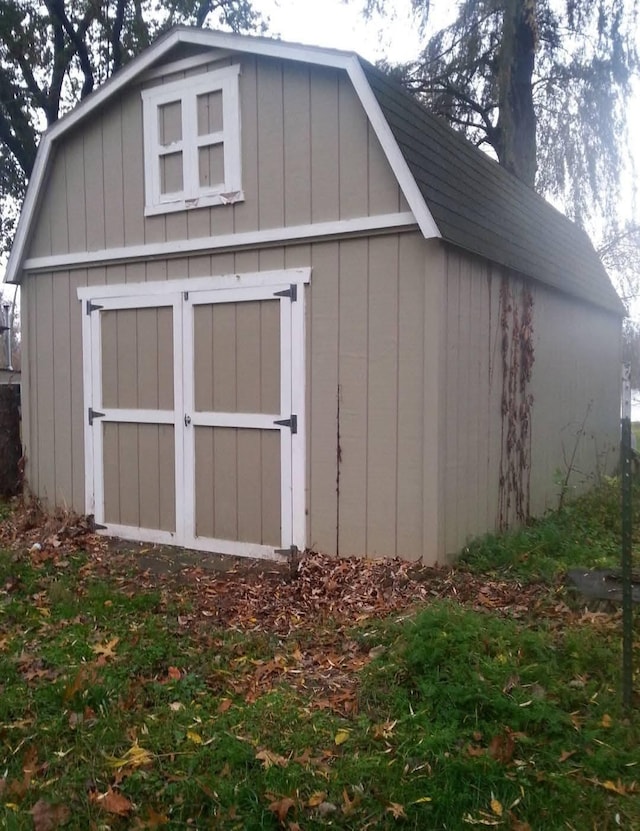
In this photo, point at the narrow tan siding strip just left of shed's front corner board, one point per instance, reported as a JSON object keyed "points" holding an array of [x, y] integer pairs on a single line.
{"points": [[410, 394]]}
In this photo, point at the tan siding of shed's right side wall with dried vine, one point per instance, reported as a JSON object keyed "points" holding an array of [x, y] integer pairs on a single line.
{"points": [[575, 361]]}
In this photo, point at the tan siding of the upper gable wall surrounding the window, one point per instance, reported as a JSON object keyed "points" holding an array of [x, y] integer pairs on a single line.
{"points": [[308, 155]]}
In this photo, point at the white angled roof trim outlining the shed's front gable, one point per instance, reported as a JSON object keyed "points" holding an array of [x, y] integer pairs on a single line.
{"points": [[347, 61]]}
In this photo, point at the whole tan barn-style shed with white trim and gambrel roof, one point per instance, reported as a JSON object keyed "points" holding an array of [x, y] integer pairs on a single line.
{"points": [[270, 302]]}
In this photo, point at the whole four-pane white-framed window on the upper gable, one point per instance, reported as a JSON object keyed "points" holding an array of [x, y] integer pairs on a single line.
{"points": [[192, 142]]}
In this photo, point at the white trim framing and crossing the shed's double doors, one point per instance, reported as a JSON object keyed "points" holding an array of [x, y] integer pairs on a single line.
{"points": [[182, 295]]}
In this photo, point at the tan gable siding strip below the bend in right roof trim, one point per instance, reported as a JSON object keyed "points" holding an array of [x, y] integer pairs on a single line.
{"points": [[353, 162]]}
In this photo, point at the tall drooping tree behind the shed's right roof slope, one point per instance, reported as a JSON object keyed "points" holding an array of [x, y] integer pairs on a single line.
{"points": [[541, 84]]}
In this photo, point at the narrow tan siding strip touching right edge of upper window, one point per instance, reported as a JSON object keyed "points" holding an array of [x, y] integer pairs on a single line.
{"points": [[245, 214]]}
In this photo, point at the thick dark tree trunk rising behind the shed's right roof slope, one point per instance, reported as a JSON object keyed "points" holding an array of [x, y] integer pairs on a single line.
{"points": [[517, 122]]}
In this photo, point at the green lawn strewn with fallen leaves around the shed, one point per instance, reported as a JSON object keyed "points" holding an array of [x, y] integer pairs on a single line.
{"points": [[110, 702]]}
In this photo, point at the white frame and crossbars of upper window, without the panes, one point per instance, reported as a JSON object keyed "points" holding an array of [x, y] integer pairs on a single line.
{"points": [[186, 91]]}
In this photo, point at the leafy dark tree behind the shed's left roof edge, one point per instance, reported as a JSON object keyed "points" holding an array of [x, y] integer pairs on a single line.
{"points": [[55, 52]]}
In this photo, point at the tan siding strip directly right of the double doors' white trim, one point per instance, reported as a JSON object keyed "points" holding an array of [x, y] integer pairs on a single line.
{"points": [[324, 344]]}
